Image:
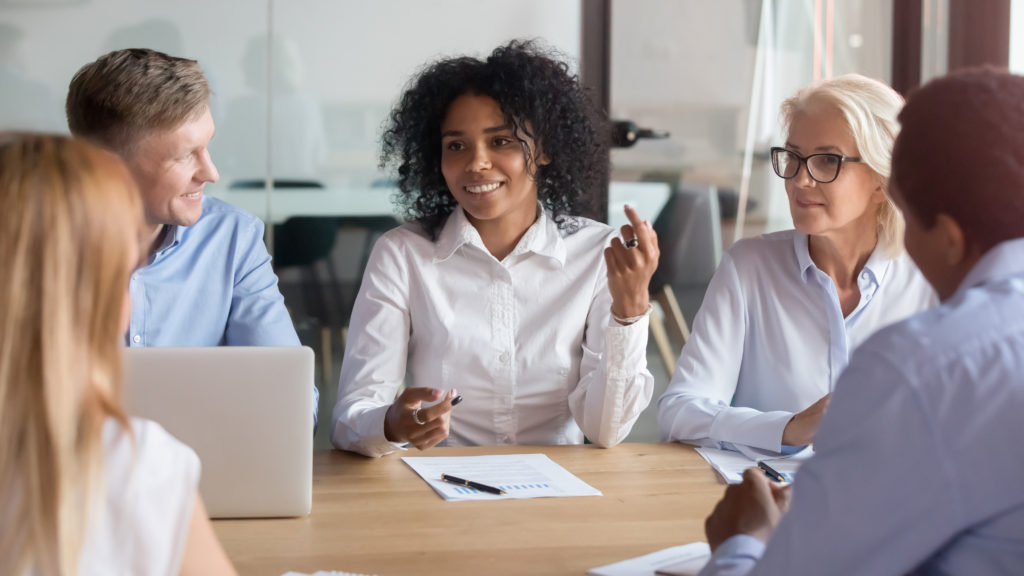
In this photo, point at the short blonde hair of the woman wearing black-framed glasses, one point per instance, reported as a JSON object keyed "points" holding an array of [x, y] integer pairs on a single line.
{"points": [[870, 109]]}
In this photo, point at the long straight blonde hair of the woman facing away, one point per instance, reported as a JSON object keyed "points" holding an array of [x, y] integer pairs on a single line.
{"points": [[70, 215]]}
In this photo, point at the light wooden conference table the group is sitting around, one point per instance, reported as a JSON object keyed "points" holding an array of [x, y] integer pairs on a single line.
{"points": [[378, 517]]}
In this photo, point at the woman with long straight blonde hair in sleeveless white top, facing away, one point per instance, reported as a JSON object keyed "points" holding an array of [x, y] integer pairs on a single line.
{"points": [[83, 489]]}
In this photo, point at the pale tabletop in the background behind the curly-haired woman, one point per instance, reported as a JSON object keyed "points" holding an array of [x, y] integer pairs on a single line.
{"points": [[648, 198]]}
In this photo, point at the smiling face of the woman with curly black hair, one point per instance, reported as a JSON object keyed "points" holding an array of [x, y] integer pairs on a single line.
{"points": [[485, 166]]}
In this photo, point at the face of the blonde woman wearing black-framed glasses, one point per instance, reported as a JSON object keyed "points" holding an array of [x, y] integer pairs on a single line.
{"points": [[851, 202]]}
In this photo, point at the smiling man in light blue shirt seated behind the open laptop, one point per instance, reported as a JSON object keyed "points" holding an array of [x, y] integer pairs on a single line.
{"points": [[206, 279]]}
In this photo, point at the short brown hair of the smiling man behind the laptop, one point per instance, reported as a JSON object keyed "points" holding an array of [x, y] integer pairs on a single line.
{"points": [[125, 95]]}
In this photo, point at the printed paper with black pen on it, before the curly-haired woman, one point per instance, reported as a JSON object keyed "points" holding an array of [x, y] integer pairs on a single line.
{"points": [[521, 476]]}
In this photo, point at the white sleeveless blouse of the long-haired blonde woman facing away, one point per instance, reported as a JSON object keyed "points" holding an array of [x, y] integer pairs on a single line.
{"points": [[141, 526]]}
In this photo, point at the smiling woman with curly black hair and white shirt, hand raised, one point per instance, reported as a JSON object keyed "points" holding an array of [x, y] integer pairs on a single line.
{"points": [[496, 284]]}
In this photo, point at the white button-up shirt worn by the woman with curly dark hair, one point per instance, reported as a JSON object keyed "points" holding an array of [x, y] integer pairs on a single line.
{"points": [[529, 342]]}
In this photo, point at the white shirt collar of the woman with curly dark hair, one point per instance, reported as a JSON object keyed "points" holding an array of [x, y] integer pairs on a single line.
{"points": [[543, 238]]}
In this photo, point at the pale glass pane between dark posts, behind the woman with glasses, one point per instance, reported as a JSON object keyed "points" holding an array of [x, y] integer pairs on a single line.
{"points": [[689, 68]]}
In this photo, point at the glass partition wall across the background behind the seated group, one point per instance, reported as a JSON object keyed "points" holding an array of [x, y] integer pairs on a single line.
{"points": [[302, 90]]}
